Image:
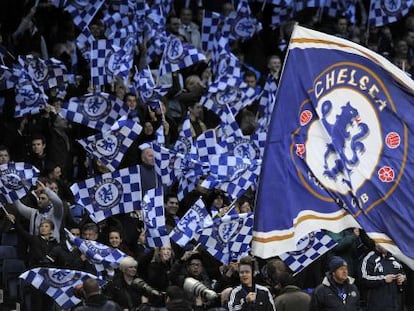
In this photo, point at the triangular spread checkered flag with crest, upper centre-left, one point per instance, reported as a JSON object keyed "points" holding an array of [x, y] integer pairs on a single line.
{"points": [[179, 55]]}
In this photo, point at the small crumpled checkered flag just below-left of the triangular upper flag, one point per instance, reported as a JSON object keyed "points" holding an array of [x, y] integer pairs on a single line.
{"points": [[148, 92]]}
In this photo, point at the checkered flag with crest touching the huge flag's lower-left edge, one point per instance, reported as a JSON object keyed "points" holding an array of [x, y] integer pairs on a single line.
{"points": [[229, 234]]}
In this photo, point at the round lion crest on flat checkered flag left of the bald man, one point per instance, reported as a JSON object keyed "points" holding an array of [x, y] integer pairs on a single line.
{"points": [[107, 194]]}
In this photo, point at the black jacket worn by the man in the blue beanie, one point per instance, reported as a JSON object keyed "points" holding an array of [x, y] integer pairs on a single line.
{"points": [[326, 296]]}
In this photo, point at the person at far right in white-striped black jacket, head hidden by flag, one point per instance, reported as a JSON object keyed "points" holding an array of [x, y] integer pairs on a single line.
{"points": [[384, 277]]}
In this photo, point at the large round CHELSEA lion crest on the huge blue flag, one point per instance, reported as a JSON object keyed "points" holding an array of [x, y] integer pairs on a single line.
{"points": [[341, 139]]}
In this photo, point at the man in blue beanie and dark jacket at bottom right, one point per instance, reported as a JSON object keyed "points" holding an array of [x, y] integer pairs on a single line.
{"points": [[337, 291]]}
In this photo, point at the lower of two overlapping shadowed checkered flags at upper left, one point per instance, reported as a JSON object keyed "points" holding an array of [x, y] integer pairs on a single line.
{"points": [[30, 97]]}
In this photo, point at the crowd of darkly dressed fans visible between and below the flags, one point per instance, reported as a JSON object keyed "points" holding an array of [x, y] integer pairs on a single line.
{"points": [[355, 274]]}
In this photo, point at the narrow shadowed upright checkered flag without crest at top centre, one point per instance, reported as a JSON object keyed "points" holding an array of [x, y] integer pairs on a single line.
{"points": [[210, 27]]}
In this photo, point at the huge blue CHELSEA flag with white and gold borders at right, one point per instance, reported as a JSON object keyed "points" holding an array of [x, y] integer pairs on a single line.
{"points": [[339, 151]]}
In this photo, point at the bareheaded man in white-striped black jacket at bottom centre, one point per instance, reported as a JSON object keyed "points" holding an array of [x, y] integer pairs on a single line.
{"points": [[249, 295]]}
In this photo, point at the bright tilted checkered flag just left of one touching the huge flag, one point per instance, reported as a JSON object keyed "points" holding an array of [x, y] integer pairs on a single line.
{"points": [[194, 221]]}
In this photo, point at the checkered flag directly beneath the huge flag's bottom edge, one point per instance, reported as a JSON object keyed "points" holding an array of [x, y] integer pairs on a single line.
{"points": [[309, 248]]}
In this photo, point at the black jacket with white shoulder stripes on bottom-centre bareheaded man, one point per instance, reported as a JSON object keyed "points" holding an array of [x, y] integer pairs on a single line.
{"points": [[264, 300]]}
